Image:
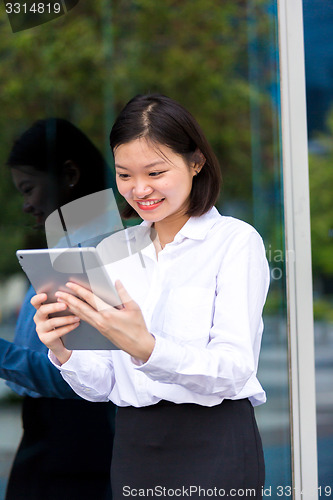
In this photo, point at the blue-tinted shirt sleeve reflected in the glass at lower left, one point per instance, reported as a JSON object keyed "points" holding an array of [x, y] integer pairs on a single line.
{"points": [[24, 364]]}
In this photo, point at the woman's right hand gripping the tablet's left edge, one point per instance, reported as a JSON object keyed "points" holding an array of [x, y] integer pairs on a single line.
{"points": [[50, 330]]}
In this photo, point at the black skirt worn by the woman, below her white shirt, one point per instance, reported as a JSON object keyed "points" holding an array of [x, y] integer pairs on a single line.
{"points": [[187, 451]]}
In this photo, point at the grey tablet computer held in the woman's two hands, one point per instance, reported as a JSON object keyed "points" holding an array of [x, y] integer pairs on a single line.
{"points": [[50, 269]]}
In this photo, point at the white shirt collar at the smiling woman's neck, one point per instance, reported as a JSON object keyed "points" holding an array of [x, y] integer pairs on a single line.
{"points": [[196, 228]]}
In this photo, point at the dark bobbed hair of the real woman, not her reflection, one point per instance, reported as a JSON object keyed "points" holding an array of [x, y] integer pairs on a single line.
{"points": [[164, 121]]}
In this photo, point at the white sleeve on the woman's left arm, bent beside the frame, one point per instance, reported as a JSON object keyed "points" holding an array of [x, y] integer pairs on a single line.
{"points": [[229, 360]]}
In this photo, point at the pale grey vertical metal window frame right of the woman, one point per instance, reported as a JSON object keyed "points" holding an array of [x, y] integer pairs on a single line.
{"points": [[298, 245]]}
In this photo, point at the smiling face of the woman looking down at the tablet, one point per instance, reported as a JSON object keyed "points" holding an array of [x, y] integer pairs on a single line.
{"points": [[154, 180]]}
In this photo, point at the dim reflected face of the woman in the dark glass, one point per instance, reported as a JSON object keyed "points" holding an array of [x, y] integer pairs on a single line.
{"points": [[38, 192]]}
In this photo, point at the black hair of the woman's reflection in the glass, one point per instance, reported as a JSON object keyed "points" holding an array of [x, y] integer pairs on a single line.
{"points": [[49, 143]]}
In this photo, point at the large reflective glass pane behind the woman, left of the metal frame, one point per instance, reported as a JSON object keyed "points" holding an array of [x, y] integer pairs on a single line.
{"points": [[221, 61]]}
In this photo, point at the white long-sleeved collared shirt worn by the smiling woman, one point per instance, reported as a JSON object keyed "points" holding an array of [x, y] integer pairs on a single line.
{"points": [[202, 299]]}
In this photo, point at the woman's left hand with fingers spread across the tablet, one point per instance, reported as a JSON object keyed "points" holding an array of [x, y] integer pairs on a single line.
{"points": [[125, 327]]}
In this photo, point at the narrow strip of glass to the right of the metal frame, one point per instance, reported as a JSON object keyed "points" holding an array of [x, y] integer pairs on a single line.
{"points": [[318, 25]]}
